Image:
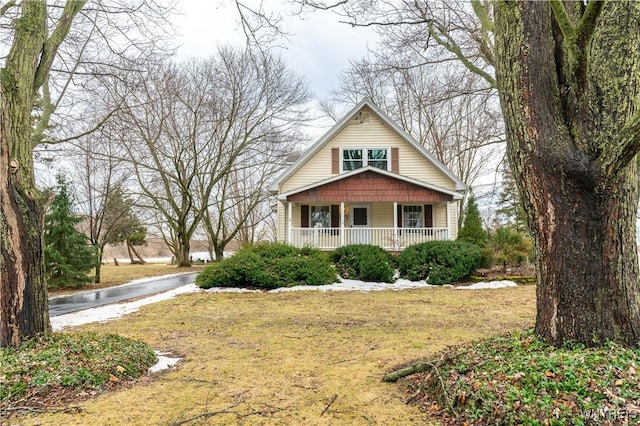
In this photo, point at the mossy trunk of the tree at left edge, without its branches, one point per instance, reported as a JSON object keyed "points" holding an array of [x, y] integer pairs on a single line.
{"points": [[24, 295]]}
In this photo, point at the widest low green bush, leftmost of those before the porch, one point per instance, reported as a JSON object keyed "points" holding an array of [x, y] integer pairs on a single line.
{"points": [[269, 266]]}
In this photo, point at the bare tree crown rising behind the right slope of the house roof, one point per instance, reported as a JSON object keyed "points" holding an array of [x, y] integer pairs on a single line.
{"points": [[454, 115]]}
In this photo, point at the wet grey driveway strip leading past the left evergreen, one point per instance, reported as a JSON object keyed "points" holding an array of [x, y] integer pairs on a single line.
{"points": [[91, 299]]}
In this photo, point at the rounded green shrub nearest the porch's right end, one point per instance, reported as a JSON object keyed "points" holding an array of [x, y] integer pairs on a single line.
{"points": [[439, 262]]}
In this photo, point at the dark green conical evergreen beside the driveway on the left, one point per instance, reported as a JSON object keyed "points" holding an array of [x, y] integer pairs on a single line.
{"points": [[68, 255]]}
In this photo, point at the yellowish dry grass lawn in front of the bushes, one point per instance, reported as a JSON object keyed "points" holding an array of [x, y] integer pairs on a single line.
{"points": [[293, 358]]}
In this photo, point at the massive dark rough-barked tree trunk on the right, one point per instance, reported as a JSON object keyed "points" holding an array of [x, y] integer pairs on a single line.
{"points": [[569, 112]]}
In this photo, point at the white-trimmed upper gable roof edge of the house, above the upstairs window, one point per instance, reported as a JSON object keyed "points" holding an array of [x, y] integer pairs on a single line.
{"points": [[341, 124]]}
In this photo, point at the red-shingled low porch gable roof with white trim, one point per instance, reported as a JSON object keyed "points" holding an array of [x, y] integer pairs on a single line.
{"points": [[369, 184]]}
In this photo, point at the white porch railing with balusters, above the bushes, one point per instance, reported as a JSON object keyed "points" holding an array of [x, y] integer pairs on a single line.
{"points": [[393, 239]]}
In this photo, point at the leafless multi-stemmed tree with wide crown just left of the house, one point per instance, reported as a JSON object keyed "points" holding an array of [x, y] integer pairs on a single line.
{"points": [[188, 127]]}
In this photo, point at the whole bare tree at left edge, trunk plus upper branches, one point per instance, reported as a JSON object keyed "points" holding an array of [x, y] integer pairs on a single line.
{"points": [[45, 43]]}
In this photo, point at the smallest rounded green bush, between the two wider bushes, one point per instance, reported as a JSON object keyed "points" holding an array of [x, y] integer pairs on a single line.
{"points": [[364, 262]]}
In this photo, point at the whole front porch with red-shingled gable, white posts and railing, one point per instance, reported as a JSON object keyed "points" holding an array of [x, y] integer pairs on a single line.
{"points": [[367, 206]]}
